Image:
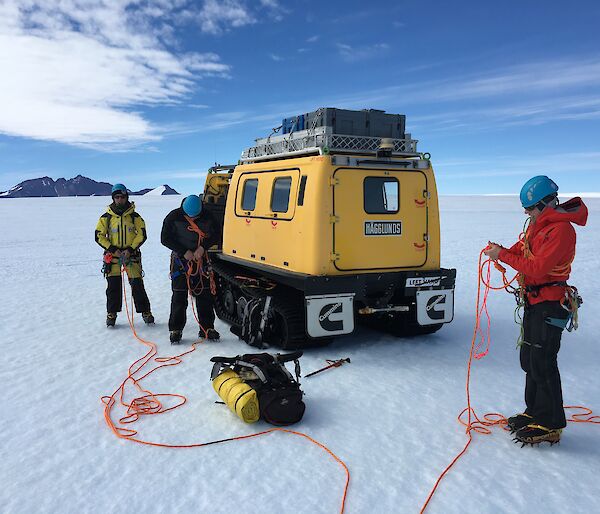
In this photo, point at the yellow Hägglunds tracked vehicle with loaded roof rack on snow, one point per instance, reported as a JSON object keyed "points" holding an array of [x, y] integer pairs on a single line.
{"points": [[333, 222]]}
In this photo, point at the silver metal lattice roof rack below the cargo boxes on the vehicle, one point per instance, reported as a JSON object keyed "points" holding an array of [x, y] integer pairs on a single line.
{"points": [[322, 141]]}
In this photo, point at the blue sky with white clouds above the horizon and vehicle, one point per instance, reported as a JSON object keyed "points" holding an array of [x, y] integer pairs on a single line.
{"points": [[155, 91]]}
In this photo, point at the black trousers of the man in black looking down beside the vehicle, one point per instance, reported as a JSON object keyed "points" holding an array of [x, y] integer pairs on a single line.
{"points": [[179, 299]]}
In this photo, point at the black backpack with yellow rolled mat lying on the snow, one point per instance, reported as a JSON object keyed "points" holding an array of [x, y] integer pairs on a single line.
{"points": [[258, 385]]}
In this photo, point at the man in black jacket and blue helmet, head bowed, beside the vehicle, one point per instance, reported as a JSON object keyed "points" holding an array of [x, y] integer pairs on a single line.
{"points": [[189, 231]]}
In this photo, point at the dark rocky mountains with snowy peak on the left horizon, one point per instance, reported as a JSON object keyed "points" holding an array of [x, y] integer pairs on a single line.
{"points": [[77, 186]]}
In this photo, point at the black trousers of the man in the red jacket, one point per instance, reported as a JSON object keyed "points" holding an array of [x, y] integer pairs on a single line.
{"points": [[543, 391]]}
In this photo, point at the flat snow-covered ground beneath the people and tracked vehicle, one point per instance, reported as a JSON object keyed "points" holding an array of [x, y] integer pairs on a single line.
{"points": [[390, 414]]}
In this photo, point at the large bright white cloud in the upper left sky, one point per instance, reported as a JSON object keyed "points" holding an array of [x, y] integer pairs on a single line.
{"points": [[78, 71]]}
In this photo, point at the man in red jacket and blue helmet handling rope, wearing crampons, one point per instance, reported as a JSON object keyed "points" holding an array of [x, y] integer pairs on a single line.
{"points": [[543, 259]]}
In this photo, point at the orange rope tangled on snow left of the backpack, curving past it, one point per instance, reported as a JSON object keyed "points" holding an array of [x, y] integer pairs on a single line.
{"points": [[150, 404]]}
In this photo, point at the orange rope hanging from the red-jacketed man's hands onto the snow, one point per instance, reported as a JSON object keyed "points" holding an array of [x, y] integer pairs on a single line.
{"points": [[473, 422]]}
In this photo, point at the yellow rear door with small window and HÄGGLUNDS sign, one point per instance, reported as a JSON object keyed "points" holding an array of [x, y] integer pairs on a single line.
{"points": [[380, 218]]}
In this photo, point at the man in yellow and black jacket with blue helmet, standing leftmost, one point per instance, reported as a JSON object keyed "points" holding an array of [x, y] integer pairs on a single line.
{"points": [[121, 231]]}
